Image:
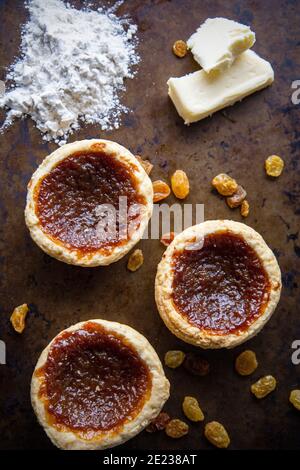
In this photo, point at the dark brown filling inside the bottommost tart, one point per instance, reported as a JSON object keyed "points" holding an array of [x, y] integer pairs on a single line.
{"points": [[93, 380]]}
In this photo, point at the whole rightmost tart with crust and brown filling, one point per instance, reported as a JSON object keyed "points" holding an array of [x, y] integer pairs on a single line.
{"points": [[217, 284]]}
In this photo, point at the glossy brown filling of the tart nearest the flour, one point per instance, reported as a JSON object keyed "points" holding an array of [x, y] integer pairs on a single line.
{"points": [[72, 198]]}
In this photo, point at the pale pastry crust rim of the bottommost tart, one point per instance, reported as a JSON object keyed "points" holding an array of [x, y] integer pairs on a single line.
{"points": [[159, 393]]}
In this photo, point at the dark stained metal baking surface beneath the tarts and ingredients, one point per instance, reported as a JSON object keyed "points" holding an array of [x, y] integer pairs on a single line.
{"points": [[237, 142]]}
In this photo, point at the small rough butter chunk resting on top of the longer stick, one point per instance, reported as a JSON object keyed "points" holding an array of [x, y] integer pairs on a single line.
{"points": [[218, 42]]}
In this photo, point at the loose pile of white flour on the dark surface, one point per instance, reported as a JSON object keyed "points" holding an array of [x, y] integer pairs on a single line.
{"points": [[72, 66]]}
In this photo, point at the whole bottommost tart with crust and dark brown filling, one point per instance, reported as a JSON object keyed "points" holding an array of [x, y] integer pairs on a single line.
{"points": [[96, 385]]}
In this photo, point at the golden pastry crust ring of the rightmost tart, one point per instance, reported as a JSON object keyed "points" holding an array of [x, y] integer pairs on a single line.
{"points": [[177, 324]]}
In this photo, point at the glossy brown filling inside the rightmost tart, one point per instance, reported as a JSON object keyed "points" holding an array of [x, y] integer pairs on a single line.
{"points": [[223, 287]]}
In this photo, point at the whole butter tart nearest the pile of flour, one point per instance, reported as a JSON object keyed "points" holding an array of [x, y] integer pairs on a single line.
{"points": [[89, 203]]}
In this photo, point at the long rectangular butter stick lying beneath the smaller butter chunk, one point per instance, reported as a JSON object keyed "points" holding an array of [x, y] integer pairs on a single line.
{"points": [[199, 94]]}
